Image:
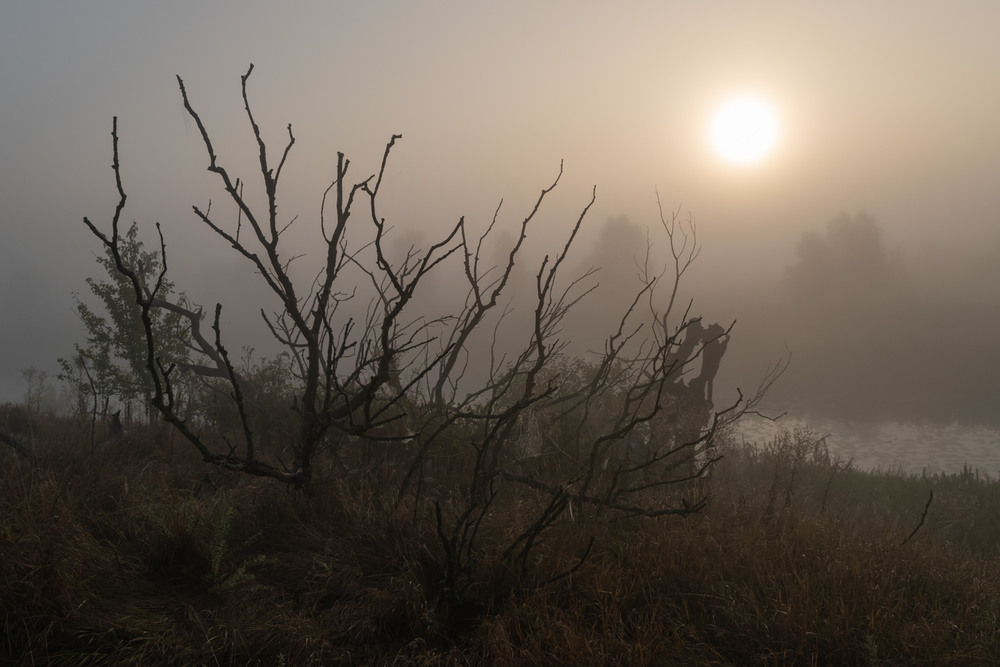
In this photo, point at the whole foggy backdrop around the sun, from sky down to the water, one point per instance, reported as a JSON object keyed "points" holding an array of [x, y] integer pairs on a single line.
{"points": [[867, 244]]}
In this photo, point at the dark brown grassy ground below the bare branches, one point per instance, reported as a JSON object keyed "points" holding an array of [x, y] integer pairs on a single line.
{"points": [[138, 554]]}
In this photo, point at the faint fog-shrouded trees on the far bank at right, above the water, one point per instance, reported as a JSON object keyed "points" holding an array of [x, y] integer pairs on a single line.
{"points": [[877, 334]]}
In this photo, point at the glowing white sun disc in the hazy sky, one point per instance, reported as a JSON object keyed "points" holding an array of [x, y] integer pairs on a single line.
{"points": [[744, 130]]}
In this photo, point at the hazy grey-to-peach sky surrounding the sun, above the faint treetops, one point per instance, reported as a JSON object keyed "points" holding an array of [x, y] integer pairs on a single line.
{"points": [[889, 107]]}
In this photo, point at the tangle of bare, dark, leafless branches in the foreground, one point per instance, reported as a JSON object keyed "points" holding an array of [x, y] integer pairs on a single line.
{"points": [[391, 391]]}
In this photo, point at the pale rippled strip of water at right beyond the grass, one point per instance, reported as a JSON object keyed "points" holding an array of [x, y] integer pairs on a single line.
{"points": [[890, 445]]}
